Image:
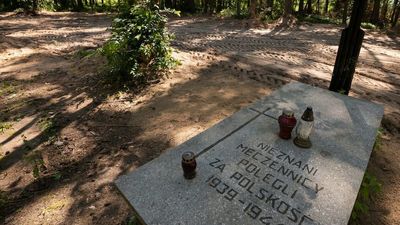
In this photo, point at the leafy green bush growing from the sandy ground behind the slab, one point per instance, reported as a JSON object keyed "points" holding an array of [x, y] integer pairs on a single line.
{"points": [[139, 49]]}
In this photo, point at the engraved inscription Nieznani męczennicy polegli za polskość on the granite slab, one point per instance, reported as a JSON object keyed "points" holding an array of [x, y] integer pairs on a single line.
{"points": [[266, 183]]}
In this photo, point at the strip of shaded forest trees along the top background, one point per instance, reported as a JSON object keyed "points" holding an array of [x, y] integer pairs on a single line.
{"points": [[380, 13]]}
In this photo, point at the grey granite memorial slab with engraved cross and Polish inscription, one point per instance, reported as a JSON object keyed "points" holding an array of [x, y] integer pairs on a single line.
{"points": [[247, 175]]}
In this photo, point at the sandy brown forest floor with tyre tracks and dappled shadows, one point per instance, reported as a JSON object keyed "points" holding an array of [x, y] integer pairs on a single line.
{"points": [[76, 134]]}
